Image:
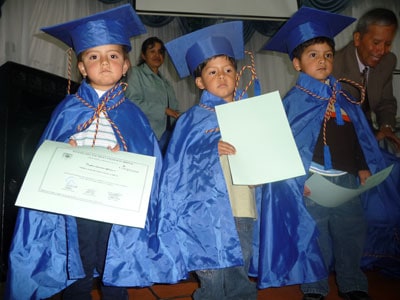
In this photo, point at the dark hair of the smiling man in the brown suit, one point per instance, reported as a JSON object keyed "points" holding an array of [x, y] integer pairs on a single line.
{"points": [[376, 16]]}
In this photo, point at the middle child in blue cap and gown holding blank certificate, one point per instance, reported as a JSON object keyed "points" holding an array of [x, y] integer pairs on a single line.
{"points": [[212, 218]]}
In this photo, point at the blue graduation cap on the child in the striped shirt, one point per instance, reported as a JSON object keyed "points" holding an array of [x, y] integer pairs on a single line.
{"points": [[114, 26]]}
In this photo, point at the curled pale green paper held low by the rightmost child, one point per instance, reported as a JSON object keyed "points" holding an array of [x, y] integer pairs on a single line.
{"points": [[328, 194]]}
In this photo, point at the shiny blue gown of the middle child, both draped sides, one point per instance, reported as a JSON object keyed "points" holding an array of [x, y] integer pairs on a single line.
{"points": [[199, 211]]}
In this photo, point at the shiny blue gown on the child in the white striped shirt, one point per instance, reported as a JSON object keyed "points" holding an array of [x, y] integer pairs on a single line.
{"points": [[44, 255]]}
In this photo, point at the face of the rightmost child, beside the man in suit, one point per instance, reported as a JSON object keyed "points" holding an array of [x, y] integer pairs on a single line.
{"points": [[316, 61]]}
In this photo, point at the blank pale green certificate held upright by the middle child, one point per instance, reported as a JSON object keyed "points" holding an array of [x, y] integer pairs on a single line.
{"points": [[265, 148]]}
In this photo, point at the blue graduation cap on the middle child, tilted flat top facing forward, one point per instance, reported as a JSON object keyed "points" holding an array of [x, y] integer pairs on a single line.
{"points": [[189, 51]]}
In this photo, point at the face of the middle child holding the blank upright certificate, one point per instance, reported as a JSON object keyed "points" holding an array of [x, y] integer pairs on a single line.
{"points": [[218, 77]]}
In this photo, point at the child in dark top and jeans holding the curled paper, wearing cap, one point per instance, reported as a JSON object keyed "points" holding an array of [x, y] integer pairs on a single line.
{"points": [[334, 140]]}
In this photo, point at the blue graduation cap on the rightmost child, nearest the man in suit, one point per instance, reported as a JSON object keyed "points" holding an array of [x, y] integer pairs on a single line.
{"points": [[307, 23]]}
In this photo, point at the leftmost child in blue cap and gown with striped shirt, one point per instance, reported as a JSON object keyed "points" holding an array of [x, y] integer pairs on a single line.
{"points": [[51, 252]]}
